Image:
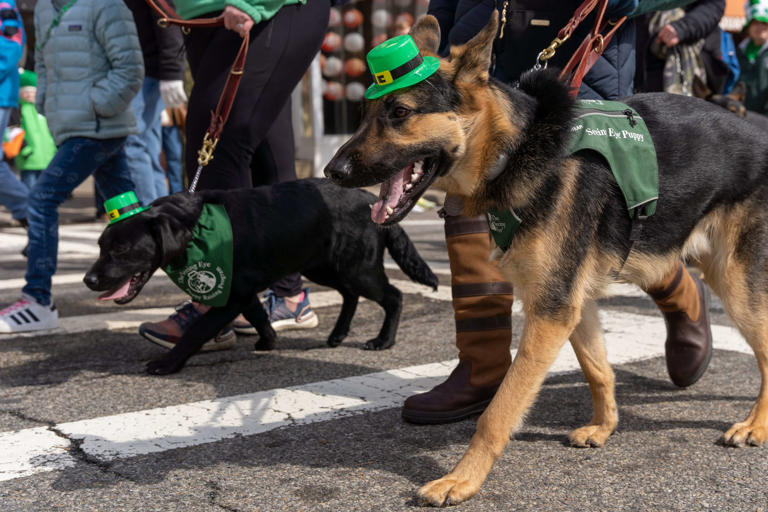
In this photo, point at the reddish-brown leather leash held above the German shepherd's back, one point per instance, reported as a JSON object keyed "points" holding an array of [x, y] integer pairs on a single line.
{"points": [[590, 48]]}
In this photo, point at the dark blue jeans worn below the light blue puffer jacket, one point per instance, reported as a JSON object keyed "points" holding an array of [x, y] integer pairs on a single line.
{"points": [[76, 159]]}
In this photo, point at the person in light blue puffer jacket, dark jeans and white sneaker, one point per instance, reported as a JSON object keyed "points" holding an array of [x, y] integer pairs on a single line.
{"points": [[89, 67]]}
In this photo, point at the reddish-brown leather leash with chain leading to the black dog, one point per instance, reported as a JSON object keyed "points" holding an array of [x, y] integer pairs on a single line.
{"points": [[168, 16]]}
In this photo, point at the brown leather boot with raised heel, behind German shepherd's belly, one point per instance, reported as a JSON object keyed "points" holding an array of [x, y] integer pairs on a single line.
{"points": [[684, 301]]}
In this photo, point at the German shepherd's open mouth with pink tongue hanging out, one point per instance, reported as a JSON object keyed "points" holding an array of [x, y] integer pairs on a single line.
{"points": [[401, 192]]}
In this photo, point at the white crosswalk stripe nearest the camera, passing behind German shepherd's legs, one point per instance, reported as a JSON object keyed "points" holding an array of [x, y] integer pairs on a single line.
{"points": [[628, 338]]}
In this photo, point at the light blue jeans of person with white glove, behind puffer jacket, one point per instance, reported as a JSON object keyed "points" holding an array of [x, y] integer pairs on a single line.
{"points": [[143, 149]]}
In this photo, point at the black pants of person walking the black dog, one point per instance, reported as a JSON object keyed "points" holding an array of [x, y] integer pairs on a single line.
{"points": [[256, 145]]}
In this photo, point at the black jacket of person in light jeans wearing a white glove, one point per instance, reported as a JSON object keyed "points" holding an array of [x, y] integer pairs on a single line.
{"points": [[161, 47]]}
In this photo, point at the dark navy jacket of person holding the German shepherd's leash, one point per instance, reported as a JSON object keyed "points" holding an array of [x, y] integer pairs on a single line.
{"points": [[611, 77]]}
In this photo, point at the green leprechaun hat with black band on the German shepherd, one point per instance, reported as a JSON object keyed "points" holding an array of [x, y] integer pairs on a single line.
{"points": [[397, 63]]}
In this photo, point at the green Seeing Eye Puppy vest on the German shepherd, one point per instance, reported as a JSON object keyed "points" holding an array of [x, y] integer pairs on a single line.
{"points": [[617, 132]]}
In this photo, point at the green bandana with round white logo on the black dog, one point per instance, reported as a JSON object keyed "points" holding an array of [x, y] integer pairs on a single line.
{"points": [[204, 271]]}
